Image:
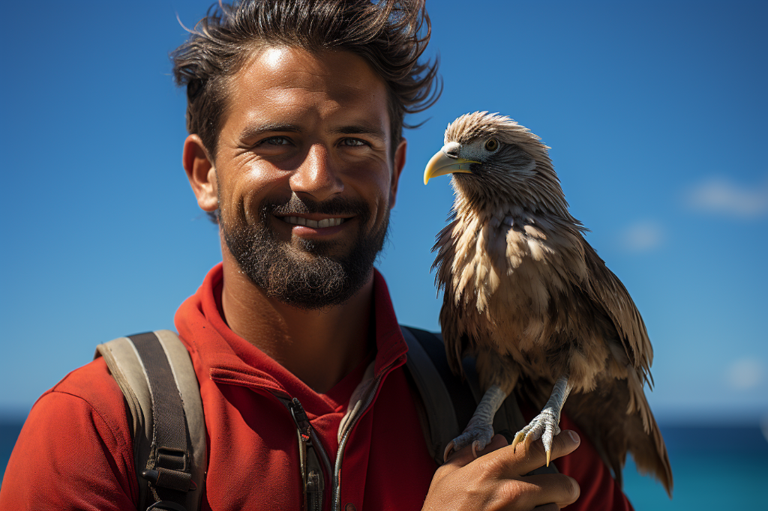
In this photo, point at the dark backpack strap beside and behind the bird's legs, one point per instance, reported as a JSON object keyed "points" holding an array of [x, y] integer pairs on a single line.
{"points": [[445, 401]]}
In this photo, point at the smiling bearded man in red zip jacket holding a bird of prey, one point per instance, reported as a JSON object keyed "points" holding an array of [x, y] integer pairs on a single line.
{"points": [[295, 113]]}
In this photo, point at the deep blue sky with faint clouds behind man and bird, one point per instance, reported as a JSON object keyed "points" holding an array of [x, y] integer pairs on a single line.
{"points": [[655, 114]]}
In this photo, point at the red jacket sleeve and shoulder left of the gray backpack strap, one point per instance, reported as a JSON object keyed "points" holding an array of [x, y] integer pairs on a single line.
{"points": [[75, 449]]}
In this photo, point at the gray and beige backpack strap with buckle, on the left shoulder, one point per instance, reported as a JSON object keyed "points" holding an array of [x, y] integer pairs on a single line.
{"points": [[157, 378]]}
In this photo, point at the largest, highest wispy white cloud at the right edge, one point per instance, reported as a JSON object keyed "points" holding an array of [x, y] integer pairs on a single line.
{"points": [[719, 195]]}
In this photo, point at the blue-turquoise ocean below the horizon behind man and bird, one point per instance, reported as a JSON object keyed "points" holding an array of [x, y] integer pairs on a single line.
{"points": [[715, 468]]}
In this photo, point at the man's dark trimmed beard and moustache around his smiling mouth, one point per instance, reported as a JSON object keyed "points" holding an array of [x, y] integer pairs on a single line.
{"points": [[314, 282]]}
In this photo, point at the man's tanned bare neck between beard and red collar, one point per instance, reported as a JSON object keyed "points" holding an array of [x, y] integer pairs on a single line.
{"points": [[319, 347]]}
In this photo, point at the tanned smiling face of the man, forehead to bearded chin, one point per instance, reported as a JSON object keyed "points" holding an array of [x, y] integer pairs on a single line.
{"points": [[304, 175]]}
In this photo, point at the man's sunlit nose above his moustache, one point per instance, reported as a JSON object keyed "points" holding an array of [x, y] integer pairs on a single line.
{"points": [[317, 176]]}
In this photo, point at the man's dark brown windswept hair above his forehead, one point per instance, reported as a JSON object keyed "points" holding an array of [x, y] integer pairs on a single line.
{"points": [[390, 35]]}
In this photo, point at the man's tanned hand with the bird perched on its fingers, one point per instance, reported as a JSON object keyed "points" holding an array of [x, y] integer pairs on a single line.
{"points": [[497, 480]]}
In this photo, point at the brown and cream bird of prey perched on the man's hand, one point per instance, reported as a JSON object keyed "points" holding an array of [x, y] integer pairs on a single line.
{"points": [[530, 299]]}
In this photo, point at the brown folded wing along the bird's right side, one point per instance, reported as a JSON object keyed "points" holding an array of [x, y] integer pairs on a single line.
{"points": [[607, 291]]}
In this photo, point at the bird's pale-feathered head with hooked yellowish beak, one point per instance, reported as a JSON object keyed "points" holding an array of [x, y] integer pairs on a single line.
{"points": [[492, 158]]}
